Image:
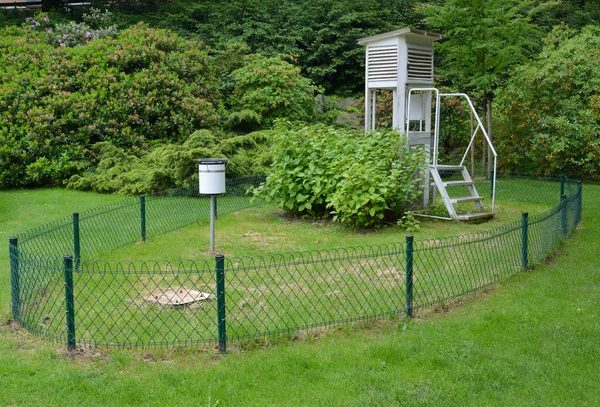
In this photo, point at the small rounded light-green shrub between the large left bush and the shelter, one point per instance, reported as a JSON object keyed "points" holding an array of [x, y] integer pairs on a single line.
{"points": [[272, 88]]}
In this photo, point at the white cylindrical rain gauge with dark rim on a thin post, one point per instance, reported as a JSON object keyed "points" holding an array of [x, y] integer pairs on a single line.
{"points": [[211, 173]]}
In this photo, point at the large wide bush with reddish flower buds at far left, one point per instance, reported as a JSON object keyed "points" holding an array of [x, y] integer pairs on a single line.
{"points": [[142, 87]]}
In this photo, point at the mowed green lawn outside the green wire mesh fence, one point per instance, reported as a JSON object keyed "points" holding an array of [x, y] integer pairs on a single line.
{"points": [[529, 341]]}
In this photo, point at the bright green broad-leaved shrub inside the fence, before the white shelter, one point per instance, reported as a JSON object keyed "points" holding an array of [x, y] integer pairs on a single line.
{"points": [[360, 179]]}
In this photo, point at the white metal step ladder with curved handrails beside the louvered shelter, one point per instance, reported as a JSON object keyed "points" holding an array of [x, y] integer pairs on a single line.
{"points": [[466, 181]]}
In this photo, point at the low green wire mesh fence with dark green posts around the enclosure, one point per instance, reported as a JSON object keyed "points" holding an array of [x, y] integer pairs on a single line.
{"points": [[61, 290]]}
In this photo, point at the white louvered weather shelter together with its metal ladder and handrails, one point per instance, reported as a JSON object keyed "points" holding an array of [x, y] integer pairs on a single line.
{"points": [[402, 61]]}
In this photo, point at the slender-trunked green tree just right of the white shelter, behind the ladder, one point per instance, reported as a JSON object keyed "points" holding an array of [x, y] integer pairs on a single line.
{"points": [[484, 41]]}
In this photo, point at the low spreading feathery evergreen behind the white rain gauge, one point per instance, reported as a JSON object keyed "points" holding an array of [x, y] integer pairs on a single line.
{"points": [[172, 165]]}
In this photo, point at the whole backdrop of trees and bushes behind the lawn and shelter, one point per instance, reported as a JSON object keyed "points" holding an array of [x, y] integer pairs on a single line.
{"points": [[146, 75]]}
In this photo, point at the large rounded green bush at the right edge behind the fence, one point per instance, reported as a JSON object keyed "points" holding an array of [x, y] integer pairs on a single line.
{"points": [[550, 120]]}
